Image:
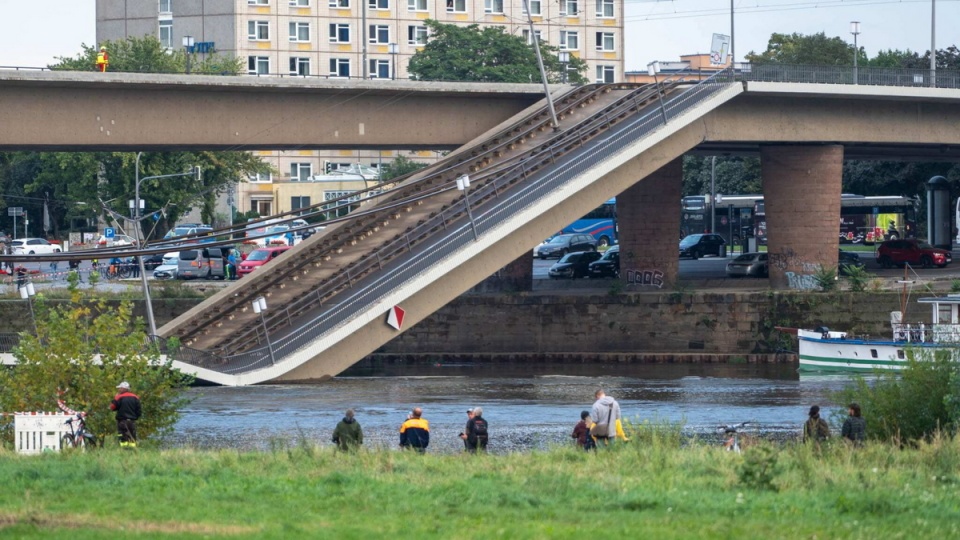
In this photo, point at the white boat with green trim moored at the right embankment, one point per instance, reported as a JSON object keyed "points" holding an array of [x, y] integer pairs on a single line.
{"points": [[826, 350]]}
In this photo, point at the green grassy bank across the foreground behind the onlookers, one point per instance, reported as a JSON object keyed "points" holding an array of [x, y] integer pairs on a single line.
{"points": [[654, 490]]}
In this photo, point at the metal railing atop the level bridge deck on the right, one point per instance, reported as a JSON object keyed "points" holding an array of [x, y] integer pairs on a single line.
{"points": [[865, 76]]}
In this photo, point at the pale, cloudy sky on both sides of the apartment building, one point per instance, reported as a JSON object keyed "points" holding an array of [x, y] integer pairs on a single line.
{"points": [[38, 32]]}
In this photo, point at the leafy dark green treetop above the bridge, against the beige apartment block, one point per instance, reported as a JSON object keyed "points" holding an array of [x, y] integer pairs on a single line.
{"points": [[469, 53]]}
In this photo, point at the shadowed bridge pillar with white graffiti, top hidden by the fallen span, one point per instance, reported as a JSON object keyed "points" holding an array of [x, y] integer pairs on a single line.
{"points": [[648, 214]]}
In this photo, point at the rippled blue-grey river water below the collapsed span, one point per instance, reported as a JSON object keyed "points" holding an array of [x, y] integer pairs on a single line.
{"points": [[527, 407]]}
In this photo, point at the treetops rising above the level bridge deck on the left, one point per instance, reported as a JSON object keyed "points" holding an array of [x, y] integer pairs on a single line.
{"points": [[147, 55]]}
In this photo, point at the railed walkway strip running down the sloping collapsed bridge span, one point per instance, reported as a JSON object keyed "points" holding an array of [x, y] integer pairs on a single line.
{"points": [[492, 205]]}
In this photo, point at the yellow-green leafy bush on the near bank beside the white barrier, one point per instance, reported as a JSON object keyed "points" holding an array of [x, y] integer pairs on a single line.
{"points": [[86, 347]]}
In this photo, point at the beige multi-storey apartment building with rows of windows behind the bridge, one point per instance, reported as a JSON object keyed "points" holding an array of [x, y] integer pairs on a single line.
{"points": [[352, 39]]}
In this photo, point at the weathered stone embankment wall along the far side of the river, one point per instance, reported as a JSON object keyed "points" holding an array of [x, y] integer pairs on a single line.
{"points": [[634, 327]]}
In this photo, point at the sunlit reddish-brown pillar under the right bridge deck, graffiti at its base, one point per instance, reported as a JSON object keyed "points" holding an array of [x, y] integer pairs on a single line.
{"points": [[801, 194]]}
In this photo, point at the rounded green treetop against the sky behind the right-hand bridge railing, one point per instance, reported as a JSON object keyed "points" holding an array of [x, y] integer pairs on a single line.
{"points": [[799, 49]]}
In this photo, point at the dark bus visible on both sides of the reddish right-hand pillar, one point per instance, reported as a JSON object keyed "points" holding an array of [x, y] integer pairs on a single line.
{"points": [[863, 220]]}
